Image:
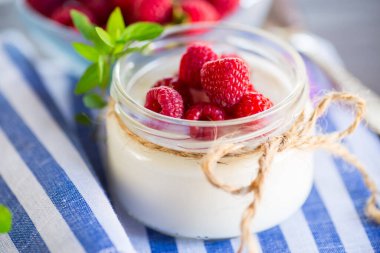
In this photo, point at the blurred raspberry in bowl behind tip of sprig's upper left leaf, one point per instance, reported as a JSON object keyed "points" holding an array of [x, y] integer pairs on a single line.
{"points": [[62, 14]]}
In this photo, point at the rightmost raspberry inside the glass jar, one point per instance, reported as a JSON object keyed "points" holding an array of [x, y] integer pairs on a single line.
{"points": [[251, 103]]}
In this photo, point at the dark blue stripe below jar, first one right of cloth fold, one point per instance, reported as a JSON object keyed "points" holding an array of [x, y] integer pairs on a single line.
{"points": [[160, 243]]}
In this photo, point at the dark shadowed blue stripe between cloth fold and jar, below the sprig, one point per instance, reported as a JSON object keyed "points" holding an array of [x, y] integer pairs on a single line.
{"points": [[87, 136]]}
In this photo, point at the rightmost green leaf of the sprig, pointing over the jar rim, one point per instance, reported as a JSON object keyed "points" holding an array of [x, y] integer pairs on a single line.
{"points": [[142, 31]]}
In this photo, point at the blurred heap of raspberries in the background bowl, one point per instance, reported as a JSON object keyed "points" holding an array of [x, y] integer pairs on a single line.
{"points": [[159, 11]]}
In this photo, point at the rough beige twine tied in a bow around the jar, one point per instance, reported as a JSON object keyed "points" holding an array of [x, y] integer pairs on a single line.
{"points": [[300, 136]]}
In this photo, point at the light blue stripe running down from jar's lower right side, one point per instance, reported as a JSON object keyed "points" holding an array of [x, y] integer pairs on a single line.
{"points": [[320, 224]]}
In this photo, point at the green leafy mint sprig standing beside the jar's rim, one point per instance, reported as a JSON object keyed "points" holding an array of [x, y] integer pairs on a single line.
{"points": [[104, 48]]}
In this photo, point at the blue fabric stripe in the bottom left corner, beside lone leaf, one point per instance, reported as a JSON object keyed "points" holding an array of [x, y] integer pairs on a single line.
{"points": [[24, 234]]}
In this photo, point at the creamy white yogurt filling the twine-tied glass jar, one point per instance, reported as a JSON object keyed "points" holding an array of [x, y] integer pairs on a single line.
{"points": [[170, 193]]}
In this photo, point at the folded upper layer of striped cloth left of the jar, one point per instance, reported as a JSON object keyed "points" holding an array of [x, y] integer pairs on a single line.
{"points": [[56, 202]]}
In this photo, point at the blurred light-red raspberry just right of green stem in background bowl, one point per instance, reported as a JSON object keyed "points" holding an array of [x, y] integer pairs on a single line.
{"points": [[199, 10]]}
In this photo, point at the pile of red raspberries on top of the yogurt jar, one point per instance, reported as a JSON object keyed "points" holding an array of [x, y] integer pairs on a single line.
{"points": [[208, 87]]}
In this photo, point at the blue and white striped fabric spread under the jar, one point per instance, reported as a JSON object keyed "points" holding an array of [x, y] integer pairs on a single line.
{"points": [[59, 207]]}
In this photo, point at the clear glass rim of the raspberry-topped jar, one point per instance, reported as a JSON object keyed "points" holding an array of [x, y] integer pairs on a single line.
{"points": [[300, 78]]}
